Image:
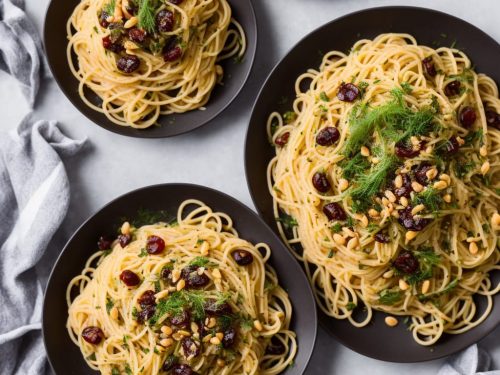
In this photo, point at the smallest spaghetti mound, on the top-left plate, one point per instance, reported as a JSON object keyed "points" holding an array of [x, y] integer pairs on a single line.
{"points": [[144, 58]]}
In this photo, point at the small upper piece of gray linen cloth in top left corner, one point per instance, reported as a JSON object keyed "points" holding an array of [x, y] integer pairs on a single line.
{"points": [[20, 48]]}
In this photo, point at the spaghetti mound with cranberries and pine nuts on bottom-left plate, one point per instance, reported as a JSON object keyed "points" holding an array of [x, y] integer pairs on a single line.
{"points": [[188, 297]]}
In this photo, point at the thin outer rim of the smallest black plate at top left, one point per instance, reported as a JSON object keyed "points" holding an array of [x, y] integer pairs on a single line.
{"points": [[142, 133]]}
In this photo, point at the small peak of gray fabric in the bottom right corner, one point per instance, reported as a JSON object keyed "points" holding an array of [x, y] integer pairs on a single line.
{"points": [[472, 360]]}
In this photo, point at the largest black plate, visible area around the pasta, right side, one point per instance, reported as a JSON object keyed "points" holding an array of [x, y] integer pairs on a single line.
{"points": [[429, 27]]}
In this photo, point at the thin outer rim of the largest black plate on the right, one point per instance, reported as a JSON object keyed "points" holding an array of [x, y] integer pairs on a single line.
{"points": [[322, 317]]}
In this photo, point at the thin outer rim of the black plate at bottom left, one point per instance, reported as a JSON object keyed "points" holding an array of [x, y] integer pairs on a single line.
{"points": [[306, 288]]}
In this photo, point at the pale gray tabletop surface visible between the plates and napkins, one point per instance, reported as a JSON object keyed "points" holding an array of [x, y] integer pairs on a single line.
{"points": [[213, 155]]}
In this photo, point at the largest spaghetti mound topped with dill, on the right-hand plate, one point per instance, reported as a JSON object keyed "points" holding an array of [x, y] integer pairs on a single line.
{"points": [[386, 184]]}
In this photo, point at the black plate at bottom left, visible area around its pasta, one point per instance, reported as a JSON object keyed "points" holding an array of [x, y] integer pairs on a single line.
{"points": [[66, 358]]}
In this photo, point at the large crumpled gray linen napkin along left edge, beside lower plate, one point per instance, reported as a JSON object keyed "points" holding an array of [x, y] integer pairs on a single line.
{"points": [[34, 198]]}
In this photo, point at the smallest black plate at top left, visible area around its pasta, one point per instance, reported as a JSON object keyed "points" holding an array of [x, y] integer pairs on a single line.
{"points": [[235, 74]]}
